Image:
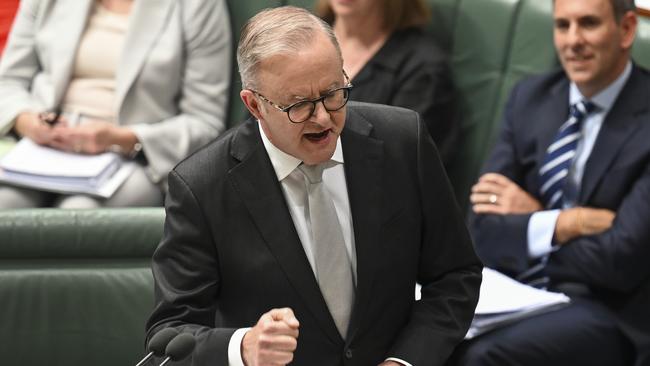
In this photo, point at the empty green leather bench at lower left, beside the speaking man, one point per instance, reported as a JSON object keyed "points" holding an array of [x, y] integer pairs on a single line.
{"points": [[76, 285]]}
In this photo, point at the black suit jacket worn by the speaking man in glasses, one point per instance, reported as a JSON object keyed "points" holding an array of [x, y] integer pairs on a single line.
{"points": [[230, 250]]}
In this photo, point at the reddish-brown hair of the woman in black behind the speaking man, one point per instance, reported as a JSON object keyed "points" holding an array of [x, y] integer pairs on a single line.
{"points": [[398, 14]]}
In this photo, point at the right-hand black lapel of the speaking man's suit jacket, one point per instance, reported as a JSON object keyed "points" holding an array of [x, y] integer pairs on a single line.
{"points": [[363, 156]]}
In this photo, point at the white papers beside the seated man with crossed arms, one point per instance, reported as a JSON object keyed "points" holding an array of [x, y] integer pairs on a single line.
{"points": [[503, 301]]}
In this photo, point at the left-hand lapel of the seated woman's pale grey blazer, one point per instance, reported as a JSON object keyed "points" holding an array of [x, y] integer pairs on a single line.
{"points": [[73, 16]]}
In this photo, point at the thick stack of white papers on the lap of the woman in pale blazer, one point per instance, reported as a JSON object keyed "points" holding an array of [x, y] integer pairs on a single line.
{"points": [[31, 165]]}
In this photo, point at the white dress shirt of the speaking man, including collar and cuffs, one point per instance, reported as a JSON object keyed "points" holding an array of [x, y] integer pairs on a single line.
{"points": [[293, 184]]}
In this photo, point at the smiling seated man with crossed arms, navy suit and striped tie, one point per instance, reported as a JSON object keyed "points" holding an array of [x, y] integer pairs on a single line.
{"points": [[565, 198]]}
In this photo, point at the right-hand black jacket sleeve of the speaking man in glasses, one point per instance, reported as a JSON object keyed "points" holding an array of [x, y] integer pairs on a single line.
{"points": [[449, 271]]}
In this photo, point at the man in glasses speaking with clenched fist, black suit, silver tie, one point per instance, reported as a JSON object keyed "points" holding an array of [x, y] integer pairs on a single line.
{"points": [[244, 236]]}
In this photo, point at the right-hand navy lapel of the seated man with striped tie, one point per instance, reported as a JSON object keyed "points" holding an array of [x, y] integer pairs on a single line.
{"points": [[629, 110]]}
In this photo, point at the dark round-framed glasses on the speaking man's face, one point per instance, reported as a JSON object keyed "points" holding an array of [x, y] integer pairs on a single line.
{"points": [[301, 111]]}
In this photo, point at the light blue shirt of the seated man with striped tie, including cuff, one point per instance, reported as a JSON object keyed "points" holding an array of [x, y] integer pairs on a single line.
{"points": [[541, 225]]}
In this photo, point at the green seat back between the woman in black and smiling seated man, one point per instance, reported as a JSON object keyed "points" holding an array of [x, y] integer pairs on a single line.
{"points": [[494, 44]]}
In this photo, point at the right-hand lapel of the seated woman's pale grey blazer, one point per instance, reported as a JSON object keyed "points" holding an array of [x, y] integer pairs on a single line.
{"points": [[145, 25]]}
